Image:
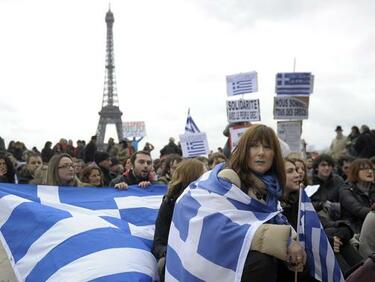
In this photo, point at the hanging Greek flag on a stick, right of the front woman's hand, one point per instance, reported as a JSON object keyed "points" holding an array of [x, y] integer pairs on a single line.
{"points": [[320, 257]]}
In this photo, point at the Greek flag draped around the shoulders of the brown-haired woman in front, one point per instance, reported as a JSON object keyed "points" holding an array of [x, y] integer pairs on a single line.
{"points": [[211, 231]]}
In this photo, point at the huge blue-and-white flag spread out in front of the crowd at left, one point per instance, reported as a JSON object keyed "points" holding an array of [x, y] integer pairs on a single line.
{"points": [[78, 233]]}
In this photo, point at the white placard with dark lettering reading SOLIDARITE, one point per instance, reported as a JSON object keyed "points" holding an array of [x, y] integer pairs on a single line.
{"points": [[243, 110]]}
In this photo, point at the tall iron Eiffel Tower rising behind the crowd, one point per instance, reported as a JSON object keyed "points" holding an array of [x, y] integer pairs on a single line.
{"points": [[110, 112]]}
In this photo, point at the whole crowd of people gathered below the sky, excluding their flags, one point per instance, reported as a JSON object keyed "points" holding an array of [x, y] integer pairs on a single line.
{"points": [[344, 201]]}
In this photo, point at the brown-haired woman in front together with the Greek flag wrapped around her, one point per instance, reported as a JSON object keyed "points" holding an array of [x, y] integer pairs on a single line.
{"points": [[227, 225]]}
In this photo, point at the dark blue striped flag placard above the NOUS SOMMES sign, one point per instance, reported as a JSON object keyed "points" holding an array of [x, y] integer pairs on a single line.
{"points": [[294, 83]]}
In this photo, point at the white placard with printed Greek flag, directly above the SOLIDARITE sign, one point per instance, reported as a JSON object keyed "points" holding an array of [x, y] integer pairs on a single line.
{"points": [[242, 83]]}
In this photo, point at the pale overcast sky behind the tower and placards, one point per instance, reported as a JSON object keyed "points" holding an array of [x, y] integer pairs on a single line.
{"points": [[174, 54]]}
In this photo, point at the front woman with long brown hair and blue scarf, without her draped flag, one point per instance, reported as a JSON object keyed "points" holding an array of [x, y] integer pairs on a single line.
{"points": [[259, 171]]}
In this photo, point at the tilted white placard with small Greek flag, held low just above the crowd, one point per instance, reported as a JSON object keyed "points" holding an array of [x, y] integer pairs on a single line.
{"points": [[194, 145]]}
